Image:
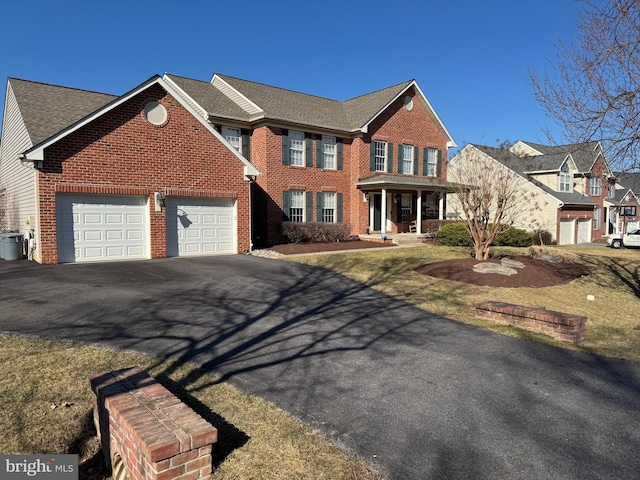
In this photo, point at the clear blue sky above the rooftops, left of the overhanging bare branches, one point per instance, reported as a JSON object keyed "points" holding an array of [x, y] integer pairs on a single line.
{"points": [[471, 58]]}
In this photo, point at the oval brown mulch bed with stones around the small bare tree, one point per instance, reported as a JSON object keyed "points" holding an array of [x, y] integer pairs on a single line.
{"points": [[536, 273]]}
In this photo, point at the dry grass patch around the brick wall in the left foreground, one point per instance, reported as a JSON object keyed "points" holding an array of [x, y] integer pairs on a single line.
{"points": [[256, 439]]}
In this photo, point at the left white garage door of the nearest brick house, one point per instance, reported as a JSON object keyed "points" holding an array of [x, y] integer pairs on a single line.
{"points": [[97, 228]]}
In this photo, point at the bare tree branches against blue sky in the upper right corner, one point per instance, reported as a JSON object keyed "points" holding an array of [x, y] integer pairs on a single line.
{"points": [[594, 91]]}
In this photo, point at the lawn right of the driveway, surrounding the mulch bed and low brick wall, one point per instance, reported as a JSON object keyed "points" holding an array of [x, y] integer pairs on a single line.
{"points": [[611, 317]]}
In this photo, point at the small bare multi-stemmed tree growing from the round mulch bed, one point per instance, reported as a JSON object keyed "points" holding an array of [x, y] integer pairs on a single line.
{"points": [[490, 197]]}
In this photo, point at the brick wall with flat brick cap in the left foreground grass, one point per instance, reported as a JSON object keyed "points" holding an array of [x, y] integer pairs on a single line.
{"points": [[146, 432]]}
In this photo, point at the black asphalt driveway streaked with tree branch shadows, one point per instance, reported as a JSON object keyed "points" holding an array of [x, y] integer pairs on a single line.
{"points": [[415, 394]]}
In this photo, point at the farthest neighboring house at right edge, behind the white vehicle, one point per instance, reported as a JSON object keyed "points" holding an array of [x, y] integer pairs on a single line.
{"points": [[626, 212]]}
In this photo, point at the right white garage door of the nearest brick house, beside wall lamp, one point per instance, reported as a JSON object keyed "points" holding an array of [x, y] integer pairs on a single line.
{"points": [[197, 226]]}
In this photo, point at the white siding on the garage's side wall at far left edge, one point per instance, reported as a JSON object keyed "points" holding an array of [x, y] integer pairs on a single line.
{"points": [[18, 178]]}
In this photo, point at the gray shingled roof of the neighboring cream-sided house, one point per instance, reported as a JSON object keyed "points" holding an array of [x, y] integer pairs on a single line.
{"points": [[521, 165]]}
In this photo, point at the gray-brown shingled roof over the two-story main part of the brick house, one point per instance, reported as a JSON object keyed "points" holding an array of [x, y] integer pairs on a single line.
{"points": [[290, 106]]}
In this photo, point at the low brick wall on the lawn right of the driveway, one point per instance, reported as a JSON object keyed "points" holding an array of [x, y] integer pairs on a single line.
{"points": [[561, 326]]}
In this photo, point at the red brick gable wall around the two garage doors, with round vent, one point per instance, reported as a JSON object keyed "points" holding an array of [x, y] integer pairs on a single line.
{"points": [[121, 153]]}
